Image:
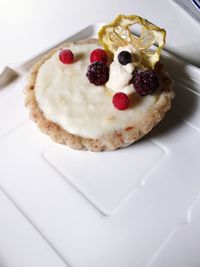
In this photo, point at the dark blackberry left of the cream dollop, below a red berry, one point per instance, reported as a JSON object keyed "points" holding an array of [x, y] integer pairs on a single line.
{"points": [[97, 73]]}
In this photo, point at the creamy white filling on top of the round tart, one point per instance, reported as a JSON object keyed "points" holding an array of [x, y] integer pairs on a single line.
{"points": [[67, 98]]}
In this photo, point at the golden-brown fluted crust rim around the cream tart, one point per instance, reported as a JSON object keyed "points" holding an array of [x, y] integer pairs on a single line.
{"points": [[113, 140]]}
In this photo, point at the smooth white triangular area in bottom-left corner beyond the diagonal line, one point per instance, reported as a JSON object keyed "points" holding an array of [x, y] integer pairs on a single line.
{"points": [[21, 243]]}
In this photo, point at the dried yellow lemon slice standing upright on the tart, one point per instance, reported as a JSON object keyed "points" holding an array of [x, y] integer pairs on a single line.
{"points": [[149, 43]]}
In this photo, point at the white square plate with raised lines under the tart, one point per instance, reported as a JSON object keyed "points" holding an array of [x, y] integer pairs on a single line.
{"points": [[138, 206]]}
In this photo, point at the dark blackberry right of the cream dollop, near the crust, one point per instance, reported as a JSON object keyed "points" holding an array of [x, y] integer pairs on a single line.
{"points": [[145, 82]]}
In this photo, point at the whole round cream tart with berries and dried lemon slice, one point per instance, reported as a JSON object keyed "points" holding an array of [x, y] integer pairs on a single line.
{"points": [[102, 94]]}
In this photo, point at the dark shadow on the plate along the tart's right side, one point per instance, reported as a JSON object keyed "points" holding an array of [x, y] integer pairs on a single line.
{"points": [[185, 102]]}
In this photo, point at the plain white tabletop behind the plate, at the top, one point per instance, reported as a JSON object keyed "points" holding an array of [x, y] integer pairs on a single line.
{"points": [[27, 27]]}
